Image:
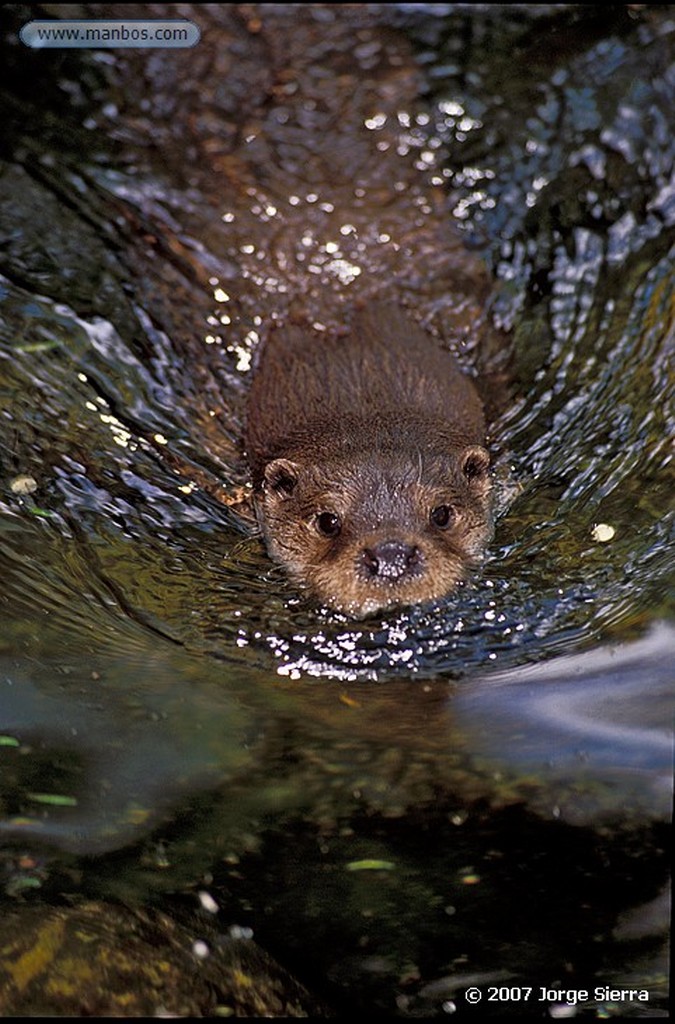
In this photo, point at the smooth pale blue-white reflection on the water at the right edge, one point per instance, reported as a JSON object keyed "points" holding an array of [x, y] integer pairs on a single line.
{"points": [[603, 719]]}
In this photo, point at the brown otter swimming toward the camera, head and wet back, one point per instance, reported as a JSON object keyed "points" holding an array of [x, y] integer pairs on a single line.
{"points": [[367, 455]]}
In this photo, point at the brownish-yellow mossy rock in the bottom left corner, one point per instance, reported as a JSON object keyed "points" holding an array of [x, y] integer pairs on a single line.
{"points": [[99, 960]]}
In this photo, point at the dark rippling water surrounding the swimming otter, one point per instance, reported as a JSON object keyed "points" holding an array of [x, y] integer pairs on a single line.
{"points": [[473, 794]]}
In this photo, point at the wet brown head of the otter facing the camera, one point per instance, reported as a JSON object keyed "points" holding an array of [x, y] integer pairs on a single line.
{"points": [[371, 531]]}
